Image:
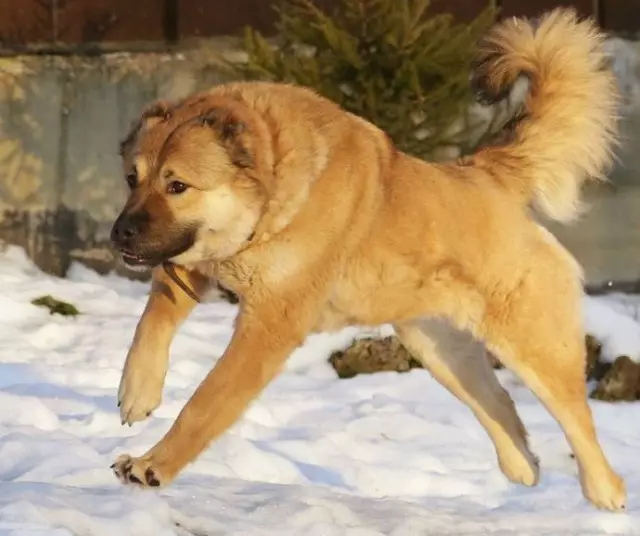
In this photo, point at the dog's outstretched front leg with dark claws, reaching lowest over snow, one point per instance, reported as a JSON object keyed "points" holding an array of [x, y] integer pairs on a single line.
{"points": [[264, 338]]}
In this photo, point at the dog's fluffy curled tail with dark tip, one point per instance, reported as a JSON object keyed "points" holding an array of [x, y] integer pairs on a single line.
{"points": [[567, 130]]}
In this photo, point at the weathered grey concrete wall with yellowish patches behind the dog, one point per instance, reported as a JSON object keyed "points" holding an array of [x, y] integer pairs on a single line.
{"points": [[61, 119]]}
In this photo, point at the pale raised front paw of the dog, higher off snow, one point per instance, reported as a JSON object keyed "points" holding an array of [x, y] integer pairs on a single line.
{"points": [[139, 394]]}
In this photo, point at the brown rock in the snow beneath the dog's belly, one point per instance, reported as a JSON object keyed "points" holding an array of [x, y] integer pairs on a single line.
{"points": [[366, 356]]}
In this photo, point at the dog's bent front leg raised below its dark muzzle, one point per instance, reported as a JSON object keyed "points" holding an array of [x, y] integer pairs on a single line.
{"points": [[145, 368]]}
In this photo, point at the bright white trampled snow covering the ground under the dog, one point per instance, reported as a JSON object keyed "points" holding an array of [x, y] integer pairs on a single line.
{"points": [[383, 454]]}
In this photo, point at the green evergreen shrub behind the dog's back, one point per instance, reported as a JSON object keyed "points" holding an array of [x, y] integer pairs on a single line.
{"points": [[389, 61]]}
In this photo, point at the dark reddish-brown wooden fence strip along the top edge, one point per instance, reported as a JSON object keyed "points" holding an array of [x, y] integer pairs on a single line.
{"points": [[93, 25]]}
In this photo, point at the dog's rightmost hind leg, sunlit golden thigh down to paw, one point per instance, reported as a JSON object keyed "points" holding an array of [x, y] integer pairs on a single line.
{"points": [[536, 331]]}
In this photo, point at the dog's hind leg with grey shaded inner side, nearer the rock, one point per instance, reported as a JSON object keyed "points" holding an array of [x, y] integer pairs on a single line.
{"points": [[460, 364]]}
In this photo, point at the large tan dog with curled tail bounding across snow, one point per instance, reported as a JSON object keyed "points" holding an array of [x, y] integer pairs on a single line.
{"points": [[316, 221]]}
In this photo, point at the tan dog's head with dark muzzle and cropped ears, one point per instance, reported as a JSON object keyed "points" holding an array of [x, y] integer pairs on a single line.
{"points": [[196, 187]]}
